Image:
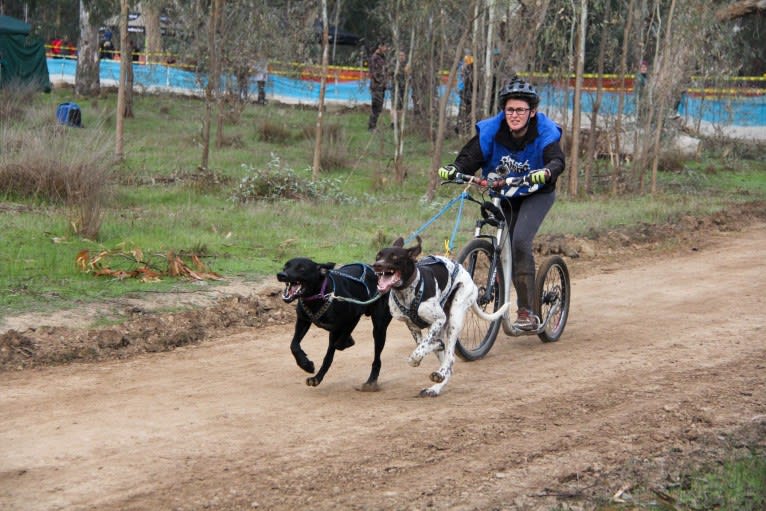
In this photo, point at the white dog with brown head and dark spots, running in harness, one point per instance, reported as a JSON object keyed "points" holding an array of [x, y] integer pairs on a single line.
{"points": [[434, 293]]}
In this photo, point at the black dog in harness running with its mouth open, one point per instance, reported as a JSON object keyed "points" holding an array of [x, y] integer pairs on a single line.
{"points": [[334, 300]]}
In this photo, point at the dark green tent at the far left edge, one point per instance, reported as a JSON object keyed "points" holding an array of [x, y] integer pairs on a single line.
{"points": [[22, 57]]}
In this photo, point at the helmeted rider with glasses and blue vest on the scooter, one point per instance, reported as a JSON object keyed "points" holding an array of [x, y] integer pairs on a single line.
{"points": [[517, 141]]}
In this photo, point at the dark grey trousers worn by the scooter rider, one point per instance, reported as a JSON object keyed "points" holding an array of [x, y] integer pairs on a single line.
{"points": [[526, 216]]}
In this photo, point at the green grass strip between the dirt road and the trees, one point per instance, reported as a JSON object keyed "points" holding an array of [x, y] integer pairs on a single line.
{"points": [[159, 201]]}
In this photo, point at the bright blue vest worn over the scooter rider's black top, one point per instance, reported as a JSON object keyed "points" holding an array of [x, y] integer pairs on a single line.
{"points": [[519, 162]]}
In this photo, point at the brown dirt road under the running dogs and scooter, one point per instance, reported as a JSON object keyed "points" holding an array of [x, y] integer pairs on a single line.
{"points": [[661, 362]]}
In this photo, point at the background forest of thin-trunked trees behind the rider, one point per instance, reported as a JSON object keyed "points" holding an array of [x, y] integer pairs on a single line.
{"points": [[689, 45]]}
